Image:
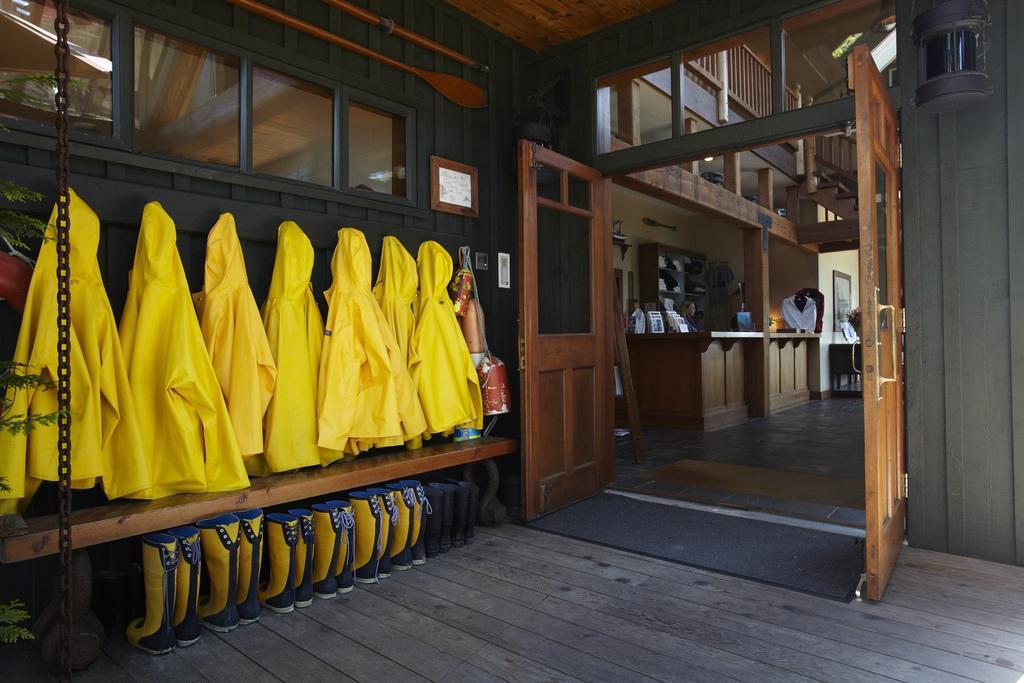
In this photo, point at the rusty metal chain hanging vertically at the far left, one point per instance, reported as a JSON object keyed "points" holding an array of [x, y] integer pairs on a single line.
{"points": [[61, 26]]}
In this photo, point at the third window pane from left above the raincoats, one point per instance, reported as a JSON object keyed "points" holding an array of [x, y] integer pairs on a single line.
{"points": [[293, 124]]}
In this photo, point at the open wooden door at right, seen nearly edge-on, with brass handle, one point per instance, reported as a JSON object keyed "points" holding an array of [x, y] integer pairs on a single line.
{"points": [[882, 321]]}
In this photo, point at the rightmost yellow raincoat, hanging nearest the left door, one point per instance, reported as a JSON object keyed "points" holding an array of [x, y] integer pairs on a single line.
{"points": [[443, 371]]}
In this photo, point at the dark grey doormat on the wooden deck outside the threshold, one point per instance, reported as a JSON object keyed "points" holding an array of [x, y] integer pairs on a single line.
{"points": [[808, 561]]}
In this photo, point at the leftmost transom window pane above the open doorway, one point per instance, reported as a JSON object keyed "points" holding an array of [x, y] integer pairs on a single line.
{"points": [[634, 107]]}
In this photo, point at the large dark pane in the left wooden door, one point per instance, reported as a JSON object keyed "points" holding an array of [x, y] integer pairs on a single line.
{"points": [[564, 278]]}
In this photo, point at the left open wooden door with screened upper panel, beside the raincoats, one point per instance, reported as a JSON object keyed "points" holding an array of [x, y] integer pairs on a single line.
{"points": [[566, 365]]}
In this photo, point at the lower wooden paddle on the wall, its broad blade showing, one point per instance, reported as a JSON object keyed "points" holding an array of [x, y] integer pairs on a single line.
{"points": [[459, 91]]}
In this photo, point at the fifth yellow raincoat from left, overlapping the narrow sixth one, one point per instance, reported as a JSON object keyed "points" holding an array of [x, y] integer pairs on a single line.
{"points": [[362, 400]]}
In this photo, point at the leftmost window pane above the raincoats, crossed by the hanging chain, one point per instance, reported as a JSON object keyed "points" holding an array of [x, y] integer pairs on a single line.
{"points": [[27, 65]]}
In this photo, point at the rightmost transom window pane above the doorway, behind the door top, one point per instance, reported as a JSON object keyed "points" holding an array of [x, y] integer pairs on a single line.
{"points": [[818, 45]]}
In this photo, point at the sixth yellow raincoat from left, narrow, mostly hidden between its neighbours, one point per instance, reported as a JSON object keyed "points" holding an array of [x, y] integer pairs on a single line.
{"points": [[396, 292]]}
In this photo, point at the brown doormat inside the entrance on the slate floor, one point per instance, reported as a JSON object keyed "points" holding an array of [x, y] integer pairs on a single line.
{"points": [[806, 487]]}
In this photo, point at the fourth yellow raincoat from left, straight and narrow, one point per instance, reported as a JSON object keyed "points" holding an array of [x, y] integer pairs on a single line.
{"points": [[295, 330]]}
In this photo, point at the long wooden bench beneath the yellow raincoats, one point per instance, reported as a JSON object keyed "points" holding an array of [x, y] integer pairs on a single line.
{"points": [[126, 520]]}
